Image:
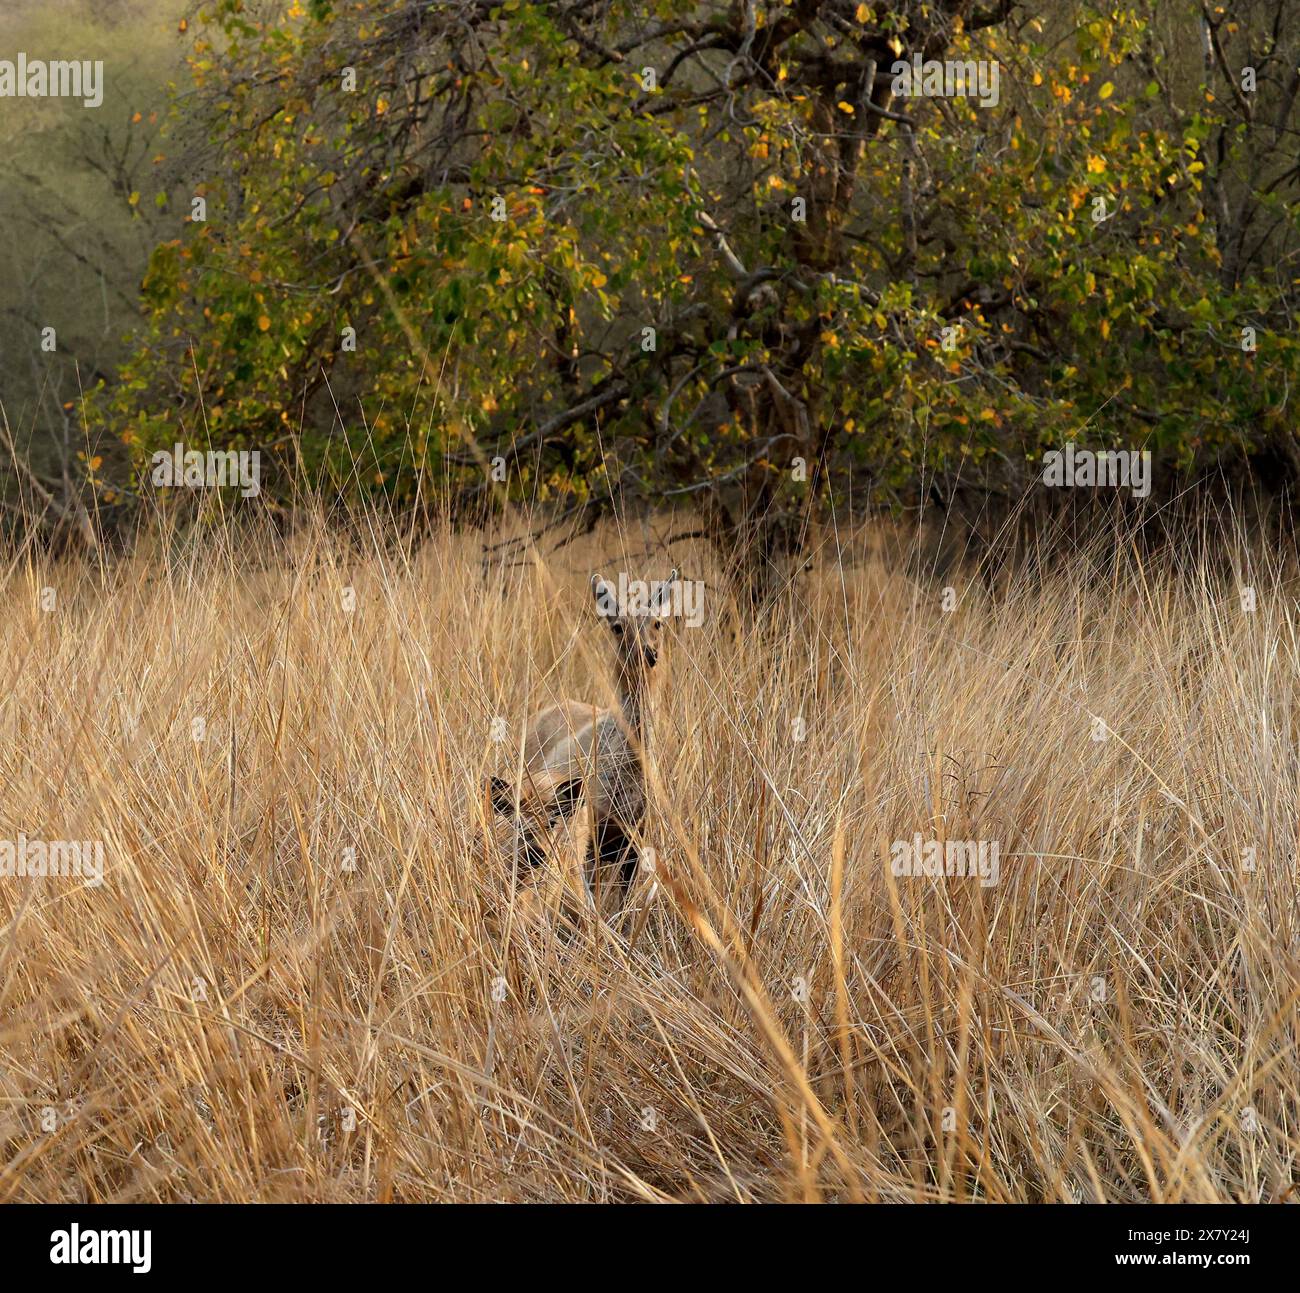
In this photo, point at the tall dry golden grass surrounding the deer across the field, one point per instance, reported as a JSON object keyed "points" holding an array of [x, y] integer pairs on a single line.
{"points": [[235, 1016]]}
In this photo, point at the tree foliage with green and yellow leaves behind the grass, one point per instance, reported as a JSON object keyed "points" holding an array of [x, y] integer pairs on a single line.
{"points": [[504, 199]]}
